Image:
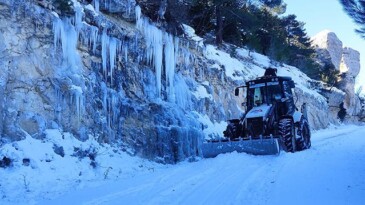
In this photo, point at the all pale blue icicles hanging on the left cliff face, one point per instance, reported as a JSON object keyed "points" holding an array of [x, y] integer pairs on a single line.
{"points": [[162, 49]]}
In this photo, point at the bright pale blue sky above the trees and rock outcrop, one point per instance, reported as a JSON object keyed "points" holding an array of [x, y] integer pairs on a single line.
{"points": [[319, 15]]}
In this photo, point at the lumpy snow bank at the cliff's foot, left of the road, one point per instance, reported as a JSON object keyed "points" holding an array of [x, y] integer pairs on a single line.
{"points": [[59, 163]]}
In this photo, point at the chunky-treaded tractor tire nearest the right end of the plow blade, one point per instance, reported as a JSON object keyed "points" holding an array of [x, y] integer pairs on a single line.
{"points": [[287, 133]]}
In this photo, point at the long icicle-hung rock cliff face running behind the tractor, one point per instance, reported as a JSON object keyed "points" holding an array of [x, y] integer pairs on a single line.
{"points": [[107, 72]]}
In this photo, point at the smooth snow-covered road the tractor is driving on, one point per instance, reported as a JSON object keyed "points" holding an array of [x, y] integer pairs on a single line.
{"points": [[331, 172]]}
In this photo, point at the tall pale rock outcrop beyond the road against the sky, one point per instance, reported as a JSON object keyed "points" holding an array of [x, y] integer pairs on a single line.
{"points": [[347, 62]]}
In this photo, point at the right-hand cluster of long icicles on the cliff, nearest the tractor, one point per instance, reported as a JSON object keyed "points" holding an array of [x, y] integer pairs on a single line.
{"points": [[163, 46]]}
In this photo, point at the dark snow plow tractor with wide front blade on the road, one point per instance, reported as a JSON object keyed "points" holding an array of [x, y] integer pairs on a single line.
{"points": [[271, 122]]}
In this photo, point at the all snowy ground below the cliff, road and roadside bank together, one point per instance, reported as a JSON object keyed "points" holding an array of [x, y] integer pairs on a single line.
{"points": [[331, 172]]}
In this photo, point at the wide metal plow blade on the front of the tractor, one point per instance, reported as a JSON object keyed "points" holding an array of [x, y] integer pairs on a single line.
{"points": [[255, 147]]}
